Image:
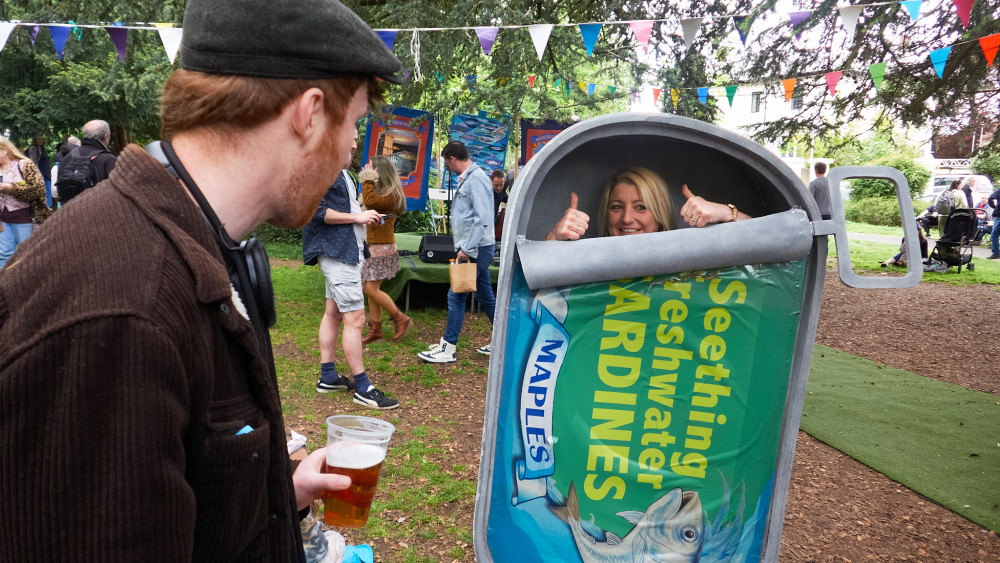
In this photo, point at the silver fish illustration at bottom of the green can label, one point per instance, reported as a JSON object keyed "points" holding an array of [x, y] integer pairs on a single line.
{"points": [[669, 531]]}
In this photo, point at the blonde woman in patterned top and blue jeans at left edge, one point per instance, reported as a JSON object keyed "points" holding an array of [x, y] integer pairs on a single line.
{"points": [[22, 199]]}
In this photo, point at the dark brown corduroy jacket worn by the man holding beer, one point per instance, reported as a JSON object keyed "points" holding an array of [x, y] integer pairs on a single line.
{"points": [[126, 372]]}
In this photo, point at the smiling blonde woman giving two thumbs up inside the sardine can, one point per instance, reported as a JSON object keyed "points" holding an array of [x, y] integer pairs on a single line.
{"points": [[636, 201]]}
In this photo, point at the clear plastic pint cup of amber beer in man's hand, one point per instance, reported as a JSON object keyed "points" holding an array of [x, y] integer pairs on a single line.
{"points": [[355, 446]]}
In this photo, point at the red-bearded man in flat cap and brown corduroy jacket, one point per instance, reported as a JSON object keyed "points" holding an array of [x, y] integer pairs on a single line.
{"points": [[139, 409]]}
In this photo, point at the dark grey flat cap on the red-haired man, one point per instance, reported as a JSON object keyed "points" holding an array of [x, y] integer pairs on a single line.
{"points": [[305, 39]]}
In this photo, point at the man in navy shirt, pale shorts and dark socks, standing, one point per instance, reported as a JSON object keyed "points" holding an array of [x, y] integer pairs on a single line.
{"points": [[334, 239]]}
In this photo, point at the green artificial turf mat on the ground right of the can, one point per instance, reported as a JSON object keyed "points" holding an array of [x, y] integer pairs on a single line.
{"points": [[938, 439]]}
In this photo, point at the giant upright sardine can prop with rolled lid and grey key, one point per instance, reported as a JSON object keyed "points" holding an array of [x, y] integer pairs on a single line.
{"points": [[644, 391]]}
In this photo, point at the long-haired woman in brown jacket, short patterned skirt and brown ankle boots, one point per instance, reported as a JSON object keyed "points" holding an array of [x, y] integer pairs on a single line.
{"points": [[381, 191]]}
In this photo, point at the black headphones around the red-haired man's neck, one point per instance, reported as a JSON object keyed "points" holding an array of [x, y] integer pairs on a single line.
{"points": [[246, 262]]}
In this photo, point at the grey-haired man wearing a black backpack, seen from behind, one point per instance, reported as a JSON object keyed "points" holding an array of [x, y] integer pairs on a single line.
{"points": [[88, 164]]}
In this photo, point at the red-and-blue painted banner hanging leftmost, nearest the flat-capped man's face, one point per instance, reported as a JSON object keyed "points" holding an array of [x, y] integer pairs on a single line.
{"points": [[404, 136]]}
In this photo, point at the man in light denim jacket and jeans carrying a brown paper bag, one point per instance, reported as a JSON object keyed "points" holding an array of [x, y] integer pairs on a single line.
{"points": [[472, 231]]}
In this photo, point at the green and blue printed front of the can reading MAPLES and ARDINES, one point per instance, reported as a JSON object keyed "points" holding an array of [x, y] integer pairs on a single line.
{"points": [[640, 418]]}
